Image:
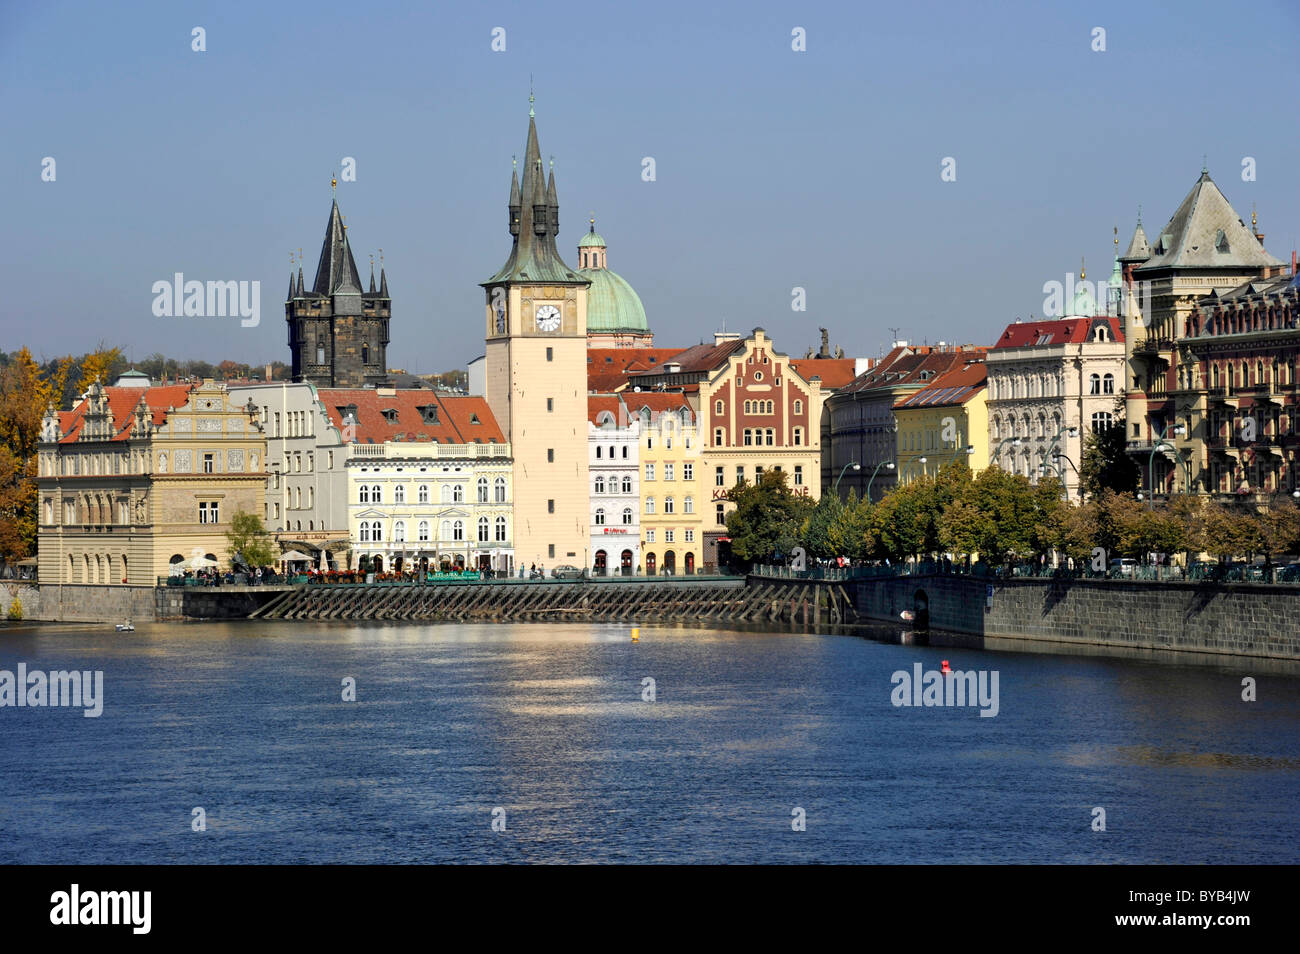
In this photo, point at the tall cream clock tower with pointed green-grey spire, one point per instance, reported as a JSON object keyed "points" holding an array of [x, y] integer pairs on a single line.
{"points": [[536, 370]]}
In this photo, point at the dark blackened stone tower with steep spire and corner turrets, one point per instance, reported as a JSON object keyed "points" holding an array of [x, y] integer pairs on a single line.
{"points": [[339, 335]]}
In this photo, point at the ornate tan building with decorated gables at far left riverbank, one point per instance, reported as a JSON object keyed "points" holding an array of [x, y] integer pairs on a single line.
{"points": [[136, 480]]}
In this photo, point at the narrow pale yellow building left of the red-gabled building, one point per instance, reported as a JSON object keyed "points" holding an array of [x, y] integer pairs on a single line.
{"points": [[671, 484]]}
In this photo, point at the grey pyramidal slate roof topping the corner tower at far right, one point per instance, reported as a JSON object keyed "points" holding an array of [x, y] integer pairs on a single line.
{"points": [[1207, 232]]}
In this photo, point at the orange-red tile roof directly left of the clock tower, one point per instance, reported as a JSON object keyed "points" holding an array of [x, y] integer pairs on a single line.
{"points": [[460, 420]]}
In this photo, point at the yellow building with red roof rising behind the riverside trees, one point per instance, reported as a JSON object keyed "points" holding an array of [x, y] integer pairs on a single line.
{"points": [[944, 422]]}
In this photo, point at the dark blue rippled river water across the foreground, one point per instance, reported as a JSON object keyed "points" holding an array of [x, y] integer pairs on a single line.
{"points": [[548, 722]]}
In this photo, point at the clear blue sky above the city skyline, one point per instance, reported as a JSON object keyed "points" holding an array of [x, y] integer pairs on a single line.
{"points": [[775, 170]]}
